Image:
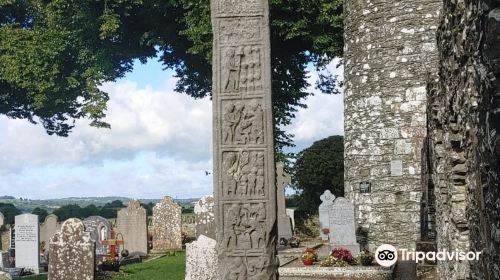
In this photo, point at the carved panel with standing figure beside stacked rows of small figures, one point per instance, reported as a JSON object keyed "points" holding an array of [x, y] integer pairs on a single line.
{"points": [[241, 69]]}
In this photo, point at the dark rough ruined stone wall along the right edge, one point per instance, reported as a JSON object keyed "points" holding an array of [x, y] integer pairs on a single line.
{"points": [[464, 120]]}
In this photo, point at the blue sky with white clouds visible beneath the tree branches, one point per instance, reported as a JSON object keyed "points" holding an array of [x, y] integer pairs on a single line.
{"points": [[159, 143]]}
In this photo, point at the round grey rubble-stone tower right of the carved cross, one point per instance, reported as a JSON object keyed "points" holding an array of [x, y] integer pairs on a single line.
{"points": [[390, 51]]}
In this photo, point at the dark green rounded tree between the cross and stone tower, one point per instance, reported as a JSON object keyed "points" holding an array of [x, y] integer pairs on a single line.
{"points": [[318, 168]]}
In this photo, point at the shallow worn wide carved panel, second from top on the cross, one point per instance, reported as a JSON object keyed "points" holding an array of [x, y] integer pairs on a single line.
{"points": [[237, 31]]}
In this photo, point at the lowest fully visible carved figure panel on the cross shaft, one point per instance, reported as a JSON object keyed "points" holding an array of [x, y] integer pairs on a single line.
{"points": [[244, 226]]}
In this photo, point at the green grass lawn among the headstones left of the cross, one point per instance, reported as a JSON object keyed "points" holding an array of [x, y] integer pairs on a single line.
{"points": [[164, 268]]}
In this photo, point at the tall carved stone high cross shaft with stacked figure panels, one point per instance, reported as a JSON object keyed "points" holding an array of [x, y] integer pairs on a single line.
{"points": [[244, 169]]}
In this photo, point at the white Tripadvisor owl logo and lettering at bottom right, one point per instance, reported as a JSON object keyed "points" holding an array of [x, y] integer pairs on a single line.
{"points": [[387, 255]]}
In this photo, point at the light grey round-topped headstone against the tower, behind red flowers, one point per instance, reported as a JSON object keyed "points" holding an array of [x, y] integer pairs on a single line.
{"points": [[343, 226]]}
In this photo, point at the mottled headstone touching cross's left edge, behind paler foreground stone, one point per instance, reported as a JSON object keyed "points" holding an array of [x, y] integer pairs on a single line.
{"points": [[205, 217]]}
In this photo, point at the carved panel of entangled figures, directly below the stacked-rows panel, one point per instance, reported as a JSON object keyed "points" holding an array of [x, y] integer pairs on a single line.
{"points": [[242, 123]]}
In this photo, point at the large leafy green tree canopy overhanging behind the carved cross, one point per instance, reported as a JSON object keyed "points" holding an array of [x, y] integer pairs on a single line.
{"points": [[54, 54]]}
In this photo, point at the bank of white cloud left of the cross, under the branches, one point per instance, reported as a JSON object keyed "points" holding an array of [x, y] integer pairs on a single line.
{"points": [[168, 123]]}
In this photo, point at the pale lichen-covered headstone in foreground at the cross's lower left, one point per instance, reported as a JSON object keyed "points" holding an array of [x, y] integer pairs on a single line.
{"points": [[201, 259]]}
